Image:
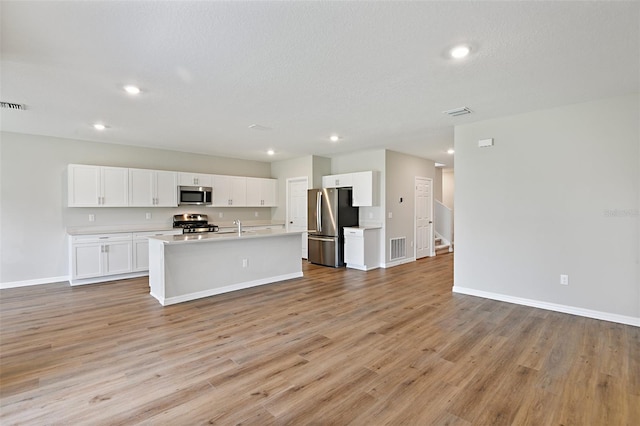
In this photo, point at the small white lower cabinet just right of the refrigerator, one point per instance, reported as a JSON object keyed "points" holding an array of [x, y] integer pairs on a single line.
{"points": [[362, 248]]}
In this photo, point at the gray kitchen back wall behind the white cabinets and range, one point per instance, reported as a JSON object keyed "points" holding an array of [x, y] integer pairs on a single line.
{"points": [[33, 200]]}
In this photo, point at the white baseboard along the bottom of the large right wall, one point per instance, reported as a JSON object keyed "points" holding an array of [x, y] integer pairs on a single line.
{"points": [[588, 313]]}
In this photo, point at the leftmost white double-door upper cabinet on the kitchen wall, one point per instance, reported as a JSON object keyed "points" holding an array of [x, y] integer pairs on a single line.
{"points": [[97, 186]]}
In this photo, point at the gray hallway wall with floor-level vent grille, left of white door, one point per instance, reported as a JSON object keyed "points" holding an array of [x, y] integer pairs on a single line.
{"points": [[401, 171]]}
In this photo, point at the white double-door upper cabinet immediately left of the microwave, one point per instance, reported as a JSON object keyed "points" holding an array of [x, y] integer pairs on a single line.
{"points": [[152, 188]]}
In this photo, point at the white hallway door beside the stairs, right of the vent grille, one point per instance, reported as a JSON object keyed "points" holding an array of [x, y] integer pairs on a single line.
{"points": [[424, 217]]}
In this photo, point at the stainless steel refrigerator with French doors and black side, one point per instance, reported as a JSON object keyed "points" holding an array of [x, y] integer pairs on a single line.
{"points": [[329, 211]]}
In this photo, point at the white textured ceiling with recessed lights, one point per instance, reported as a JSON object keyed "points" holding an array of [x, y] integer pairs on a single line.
{"points": [[377, 74]]}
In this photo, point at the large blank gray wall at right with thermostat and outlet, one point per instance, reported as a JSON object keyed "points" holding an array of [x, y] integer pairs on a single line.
{"points": [[557, 194]]}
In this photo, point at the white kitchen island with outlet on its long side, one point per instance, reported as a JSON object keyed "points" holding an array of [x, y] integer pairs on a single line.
{"points": [[183, 268]]}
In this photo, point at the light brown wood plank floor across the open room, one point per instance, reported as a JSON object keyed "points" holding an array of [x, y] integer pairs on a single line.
{"points": [[338, 347]]}
